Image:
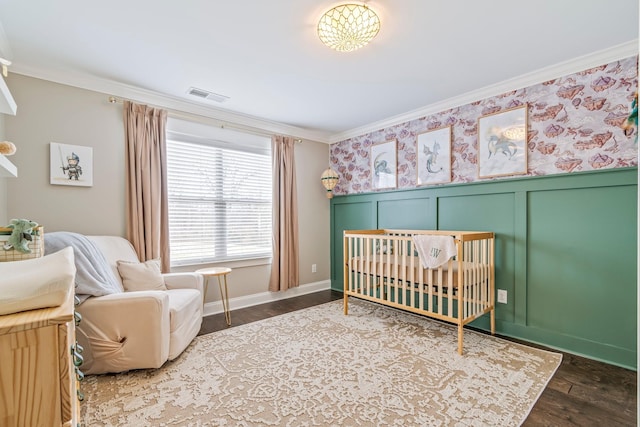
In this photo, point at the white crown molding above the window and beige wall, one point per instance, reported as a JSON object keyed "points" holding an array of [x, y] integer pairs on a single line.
{"points": [[174, 104]]}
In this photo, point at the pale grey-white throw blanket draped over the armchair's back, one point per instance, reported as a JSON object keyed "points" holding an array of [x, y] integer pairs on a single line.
{"points": [[94, 277]]}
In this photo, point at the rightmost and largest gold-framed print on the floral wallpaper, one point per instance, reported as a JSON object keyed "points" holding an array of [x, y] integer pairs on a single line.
{"points": [[502, 143]]}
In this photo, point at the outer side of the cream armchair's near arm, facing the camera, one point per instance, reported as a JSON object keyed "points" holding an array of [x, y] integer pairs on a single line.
{"points": [[124, 331]]}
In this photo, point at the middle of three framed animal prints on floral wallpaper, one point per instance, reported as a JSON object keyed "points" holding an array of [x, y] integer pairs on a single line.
{"points": [[433, 154]]}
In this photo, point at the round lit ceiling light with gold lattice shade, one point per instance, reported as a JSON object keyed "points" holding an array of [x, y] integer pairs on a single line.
{"points": [[348, 27]]}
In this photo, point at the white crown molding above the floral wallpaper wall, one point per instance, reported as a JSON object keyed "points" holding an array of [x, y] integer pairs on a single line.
{"points": [[571, 66]]}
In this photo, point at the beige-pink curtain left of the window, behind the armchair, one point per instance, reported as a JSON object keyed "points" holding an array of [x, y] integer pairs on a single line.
{"points": [[146, 165]]}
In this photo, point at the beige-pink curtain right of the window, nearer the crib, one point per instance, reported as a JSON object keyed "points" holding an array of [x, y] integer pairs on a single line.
{"points": [[284, 268]]}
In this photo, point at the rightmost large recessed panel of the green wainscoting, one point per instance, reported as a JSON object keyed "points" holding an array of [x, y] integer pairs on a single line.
{"points": [[582, 252]]}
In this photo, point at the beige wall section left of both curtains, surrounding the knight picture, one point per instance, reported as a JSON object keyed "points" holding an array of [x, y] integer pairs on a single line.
{"points": [[49, 112]]}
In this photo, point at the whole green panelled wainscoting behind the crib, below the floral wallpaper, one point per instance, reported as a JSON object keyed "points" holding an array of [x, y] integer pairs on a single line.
{"points": [[566, 251]]}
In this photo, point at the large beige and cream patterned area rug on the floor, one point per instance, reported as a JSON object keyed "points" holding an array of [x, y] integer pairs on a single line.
{"points": [[316, 367]]}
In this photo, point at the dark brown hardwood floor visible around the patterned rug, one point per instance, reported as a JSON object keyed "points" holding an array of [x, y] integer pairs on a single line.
{"points": [[582, 392]]}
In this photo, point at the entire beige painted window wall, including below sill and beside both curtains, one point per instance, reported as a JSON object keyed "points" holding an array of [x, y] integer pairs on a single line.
{"points": [[51, 112]]}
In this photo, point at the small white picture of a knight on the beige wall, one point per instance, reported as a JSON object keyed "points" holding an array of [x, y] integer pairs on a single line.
{"points": [[70, 165]]}
